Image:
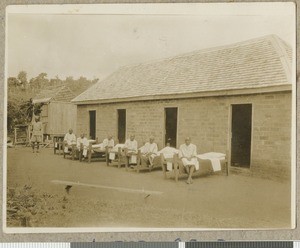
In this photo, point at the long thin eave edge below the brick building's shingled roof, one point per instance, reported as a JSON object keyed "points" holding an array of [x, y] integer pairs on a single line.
{"points": [[214, 93]]}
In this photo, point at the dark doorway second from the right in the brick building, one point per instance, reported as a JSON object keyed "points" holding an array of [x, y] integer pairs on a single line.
{"points": [[171, 126]]}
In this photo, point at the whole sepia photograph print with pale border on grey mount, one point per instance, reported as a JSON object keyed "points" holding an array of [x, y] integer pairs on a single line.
{"points": [[148, 117]]}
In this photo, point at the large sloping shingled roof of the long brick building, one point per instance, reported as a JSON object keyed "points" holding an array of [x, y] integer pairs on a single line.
{"points": [[256, 63]]}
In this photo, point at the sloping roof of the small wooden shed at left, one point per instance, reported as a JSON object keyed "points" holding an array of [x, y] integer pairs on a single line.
{"points": [[58, 94]]}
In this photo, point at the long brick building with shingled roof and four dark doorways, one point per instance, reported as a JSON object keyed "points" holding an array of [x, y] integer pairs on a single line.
{"points": [[234, 99]]}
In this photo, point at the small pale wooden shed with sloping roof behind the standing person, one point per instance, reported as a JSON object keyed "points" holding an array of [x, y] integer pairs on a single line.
{"points": [[58, 113]]}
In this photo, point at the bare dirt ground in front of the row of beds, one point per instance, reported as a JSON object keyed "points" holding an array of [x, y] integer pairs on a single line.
{"points": [[103, 196]]}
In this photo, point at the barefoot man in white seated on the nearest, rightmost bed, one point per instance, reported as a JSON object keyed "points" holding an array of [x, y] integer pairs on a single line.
{"points": [[188, 155]]}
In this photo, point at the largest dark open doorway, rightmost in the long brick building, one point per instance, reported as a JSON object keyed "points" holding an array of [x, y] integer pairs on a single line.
{"points": [[241, 126]]}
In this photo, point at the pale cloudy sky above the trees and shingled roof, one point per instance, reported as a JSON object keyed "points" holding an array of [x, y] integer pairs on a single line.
{"points": [[94, 42]]}
